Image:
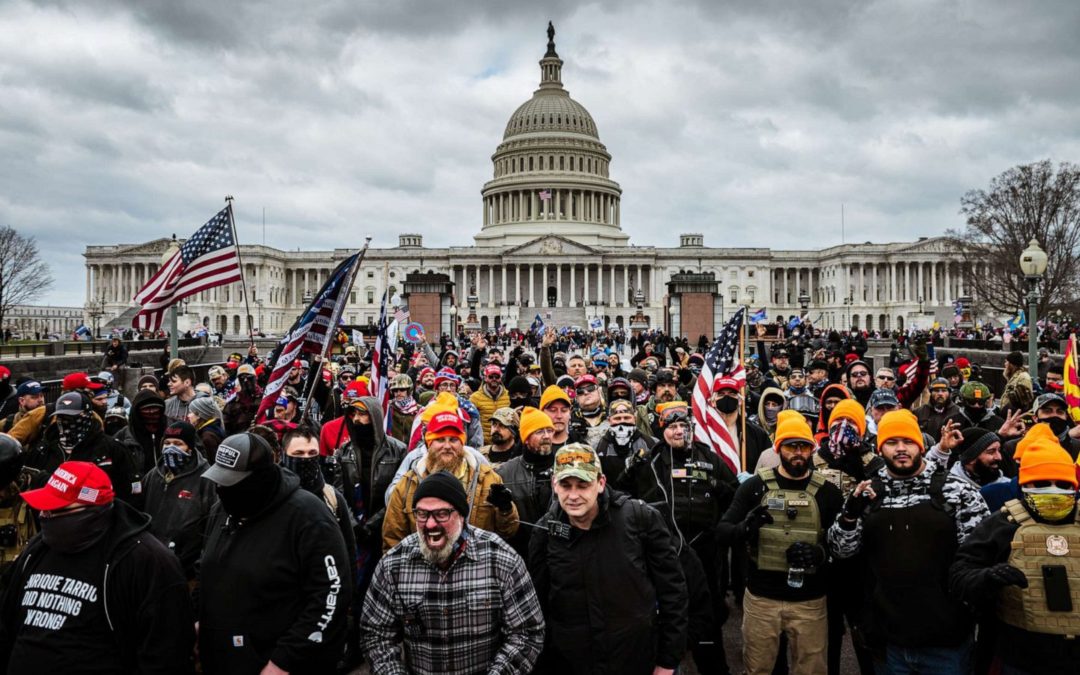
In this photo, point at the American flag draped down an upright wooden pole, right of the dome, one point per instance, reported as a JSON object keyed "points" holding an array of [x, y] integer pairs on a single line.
{"points": [[723, 360]]}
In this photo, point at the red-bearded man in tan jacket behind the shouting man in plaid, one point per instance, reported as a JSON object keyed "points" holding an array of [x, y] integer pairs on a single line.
{"points": [[491, 504]]}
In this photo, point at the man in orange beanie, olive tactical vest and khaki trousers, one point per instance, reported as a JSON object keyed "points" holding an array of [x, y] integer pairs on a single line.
{"points": [[781, 516]]}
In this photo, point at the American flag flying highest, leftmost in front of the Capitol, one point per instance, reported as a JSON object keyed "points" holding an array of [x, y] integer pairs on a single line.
{"points": [[206, 261]]}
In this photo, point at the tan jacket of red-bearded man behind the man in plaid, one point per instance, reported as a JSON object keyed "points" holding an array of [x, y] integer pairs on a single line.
{"points": [[399, 522]]}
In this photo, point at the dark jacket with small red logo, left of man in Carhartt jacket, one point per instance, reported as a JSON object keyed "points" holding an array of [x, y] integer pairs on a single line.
{"points": [[179, 509]]}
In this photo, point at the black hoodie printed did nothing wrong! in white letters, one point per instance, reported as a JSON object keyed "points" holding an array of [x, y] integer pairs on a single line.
{"points": [[146, 604]]}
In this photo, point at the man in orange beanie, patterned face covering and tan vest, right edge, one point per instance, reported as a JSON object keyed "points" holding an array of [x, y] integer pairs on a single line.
{"points": [[1023, 564]]}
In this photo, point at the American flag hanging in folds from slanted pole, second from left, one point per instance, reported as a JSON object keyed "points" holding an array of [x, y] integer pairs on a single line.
{"points": [[313, 331]]}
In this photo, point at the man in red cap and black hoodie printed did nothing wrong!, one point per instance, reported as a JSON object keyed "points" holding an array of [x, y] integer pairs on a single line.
{"points": [[94, 588]]}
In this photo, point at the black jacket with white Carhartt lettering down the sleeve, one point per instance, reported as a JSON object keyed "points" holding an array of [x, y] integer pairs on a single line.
{"points": [[275, 588]]}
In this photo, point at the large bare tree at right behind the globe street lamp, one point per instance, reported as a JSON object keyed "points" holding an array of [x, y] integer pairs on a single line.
{"points": [[1030, 201]]}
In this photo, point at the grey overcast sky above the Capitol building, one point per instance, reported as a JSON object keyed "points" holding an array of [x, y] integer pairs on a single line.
{"points": [[751, 123]]}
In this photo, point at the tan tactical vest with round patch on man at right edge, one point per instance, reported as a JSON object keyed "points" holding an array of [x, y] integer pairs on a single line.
{"points": [[1034, 546]]}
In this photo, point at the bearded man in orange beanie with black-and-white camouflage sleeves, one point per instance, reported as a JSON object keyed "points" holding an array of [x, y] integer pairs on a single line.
{"points": [[908, 522]]}
